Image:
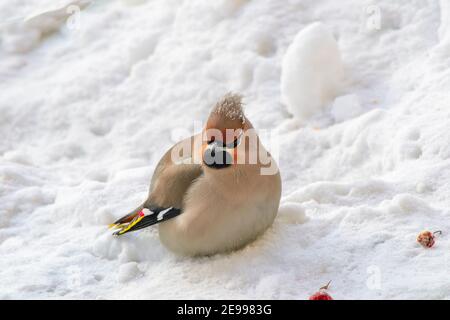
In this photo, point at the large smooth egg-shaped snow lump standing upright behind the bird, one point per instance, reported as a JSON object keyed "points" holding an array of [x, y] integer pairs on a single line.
{"points": [[312, 71]]}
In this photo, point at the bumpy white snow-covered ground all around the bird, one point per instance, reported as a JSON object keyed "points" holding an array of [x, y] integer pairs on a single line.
{"points": [[86, 114]]}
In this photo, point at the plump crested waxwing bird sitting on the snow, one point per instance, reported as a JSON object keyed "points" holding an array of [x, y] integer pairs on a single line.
{"points": [[213, 192]]}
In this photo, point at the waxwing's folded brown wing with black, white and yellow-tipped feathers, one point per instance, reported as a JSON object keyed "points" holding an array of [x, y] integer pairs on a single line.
{"points": [[169, 184]]}
